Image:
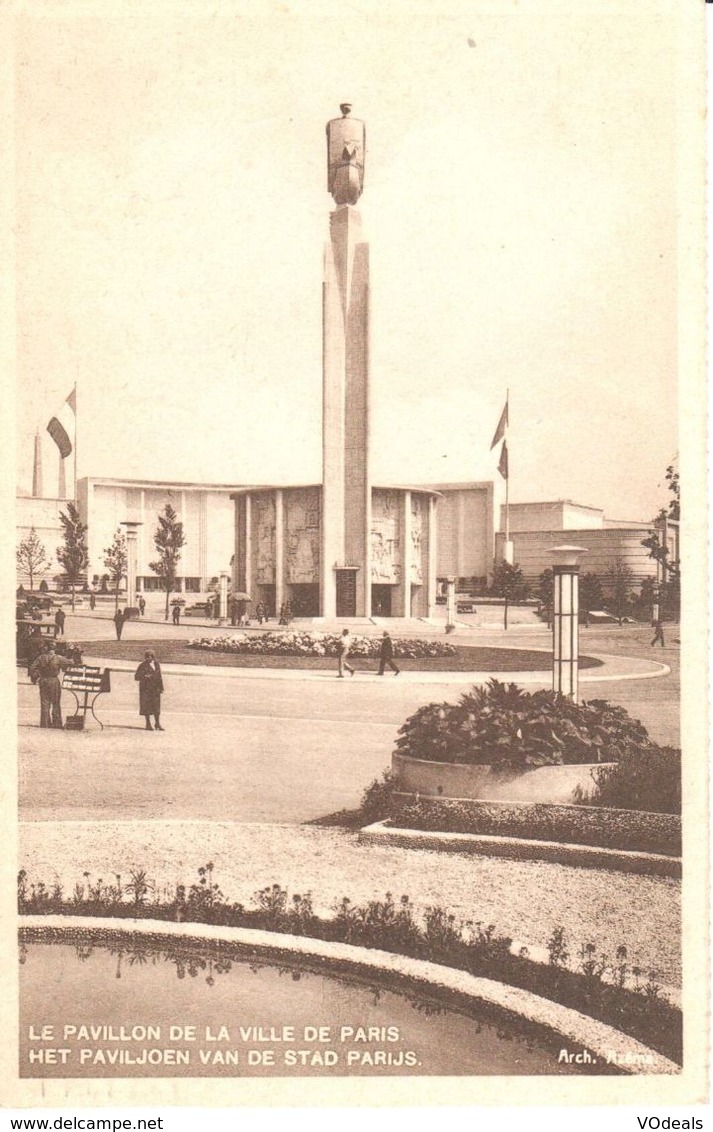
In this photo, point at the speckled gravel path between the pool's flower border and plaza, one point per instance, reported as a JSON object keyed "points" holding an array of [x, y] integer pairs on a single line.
{"points": [[523, 899]]}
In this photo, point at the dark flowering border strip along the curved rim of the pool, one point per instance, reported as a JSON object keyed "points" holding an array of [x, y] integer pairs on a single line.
{"points": [[597, 987]]}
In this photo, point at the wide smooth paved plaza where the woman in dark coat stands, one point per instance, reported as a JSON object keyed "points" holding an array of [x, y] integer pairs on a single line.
{"points": [[272, 747]]}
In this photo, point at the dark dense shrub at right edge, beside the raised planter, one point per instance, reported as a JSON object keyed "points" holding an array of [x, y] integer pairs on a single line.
{"points": [[648, 779]]}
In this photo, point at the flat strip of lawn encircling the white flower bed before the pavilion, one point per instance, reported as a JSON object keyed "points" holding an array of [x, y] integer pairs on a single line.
{"points": [[466, 661]]}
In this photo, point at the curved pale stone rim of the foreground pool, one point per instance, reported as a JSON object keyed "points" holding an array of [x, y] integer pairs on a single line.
{"points": [[572, 1026]]}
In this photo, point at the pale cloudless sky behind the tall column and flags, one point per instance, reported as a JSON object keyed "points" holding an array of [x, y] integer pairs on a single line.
{"points": [[520, 201]]}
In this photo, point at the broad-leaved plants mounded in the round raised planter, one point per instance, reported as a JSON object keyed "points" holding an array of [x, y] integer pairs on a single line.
{"points": [[501, 725]]}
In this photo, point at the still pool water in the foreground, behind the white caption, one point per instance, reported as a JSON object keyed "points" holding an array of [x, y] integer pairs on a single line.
{"points": [[127, 981]]}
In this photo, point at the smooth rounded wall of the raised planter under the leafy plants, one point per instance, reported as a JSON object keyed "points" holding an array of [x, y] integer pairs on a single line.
{"points": [[465, 781]]}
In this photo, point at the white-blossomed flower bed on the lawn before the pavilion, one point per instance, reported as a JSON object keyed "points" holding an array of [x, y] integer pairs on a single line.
{"points": [[320, 645]]}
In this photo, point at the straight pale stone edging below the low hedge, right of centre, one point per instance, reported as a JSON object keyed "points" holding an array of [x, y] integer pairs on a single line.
{"points": [[624, 861]]}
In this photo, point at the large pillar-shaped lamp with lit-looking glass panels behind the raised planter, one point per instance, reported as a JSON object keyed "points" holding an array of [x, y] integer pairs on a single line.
{"points": [[566, 621]]}
